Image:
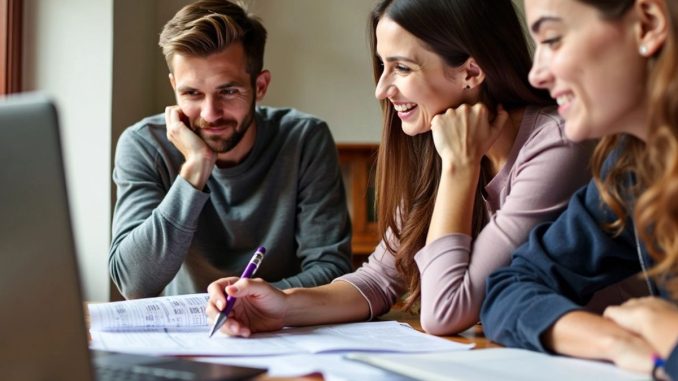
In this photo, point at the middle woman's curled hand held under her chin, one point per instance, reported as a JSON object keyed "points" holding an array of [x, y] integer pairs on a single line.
{"points": [[464, 134]]}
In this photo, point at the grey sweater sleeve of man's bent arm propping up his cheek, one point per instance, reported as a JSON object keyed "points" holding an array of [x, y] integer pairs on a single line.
{"points": [[151, 225]]}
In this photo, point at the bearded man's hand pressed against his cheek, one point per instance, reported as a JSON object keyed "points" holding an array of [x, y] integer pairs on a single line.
{"points": [[200, 159]]}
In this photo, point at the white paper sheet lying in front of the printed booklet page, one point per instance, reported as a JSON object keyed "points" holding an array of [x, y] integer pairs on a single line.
{"points": [[387, 336]]}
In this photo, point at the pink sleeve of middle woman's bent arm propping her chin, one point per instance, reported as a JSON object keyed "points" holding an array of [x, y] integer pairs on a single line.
{"points": [[454, 270]]}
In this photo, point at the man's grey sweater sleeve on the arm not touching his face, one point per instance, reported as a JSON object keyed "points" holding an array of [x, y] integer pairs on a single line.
{"points": [[323, 227]]}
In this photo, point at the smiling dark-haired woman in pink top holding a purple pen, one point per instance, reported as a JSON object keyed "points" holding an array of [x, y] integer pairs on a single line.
{"points": [[471, 158]]}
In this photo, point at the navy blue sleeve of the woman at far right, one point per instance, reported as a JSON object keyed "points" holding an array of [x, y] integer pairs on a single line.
{"points": [[556, 271]]}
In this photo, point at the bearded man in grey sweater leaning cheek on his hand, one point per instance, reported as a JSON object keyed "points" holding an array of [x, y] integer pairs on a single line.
{"points": [[200, 188]]}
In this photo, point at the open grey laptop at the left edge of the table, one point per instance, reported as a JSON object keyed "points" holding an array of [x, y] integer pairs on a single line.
{"points": [[43, 335]]}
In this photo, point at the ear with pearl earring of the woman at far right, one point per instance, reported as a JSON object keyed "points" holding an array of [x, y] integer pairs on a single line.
{"points": [[652, 27]]}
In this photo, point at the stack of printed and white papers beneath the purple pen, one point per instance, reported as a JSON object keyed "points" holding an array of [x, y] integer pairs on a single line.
{"points": [[177, 326]]}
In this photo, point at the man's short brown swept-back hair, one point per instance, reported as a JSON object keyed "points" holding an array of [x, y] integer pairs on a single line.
{"points": [[206, 27]]}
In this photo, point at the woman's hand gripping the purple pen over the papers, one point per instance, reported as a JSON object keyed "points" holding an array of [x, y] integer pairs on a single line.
{"points": [[260, 307]]}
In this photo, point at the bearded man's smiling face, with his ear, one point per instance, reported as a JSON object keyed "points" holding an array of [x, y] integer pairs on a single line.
{"points": [[216, 95]]}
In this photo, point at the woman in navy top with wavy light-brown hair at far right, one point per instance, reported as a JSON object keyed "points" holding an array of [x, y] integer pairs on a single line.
{"points": [[612, 67]]}
